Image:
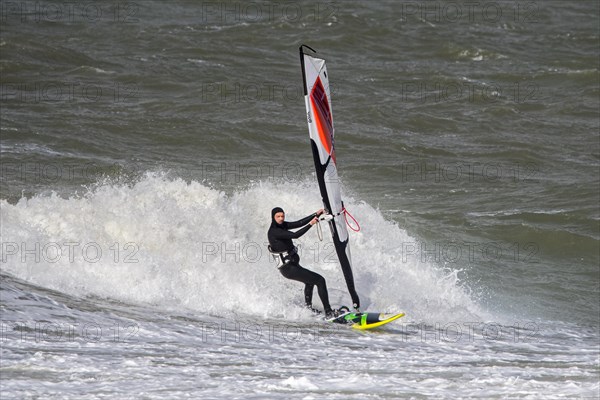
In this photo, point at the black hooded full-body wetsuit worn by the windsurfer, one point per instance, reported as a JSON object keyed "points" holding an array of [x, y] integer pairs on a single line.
{"points": [[280, 239]]}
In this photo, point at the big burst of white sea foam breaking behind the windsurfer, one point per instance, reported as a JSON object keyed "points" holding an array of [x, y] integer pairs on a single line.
{"points": [[172, 243]]}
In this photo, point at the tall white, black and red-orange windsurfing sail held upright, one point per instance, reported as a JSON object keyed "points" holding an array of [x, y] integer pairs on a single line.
{"points": [[317, 97]]}
